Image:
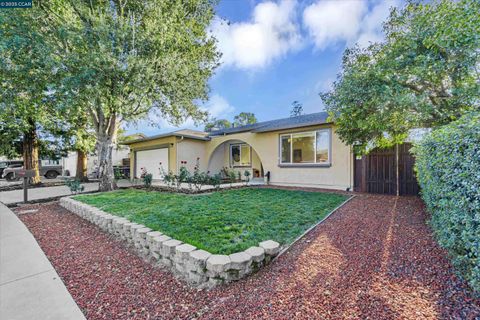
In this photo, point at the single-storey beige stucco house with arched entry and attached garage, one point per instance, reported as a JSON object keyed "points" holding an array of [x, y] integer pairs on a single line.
{"points": [[298, 151]]}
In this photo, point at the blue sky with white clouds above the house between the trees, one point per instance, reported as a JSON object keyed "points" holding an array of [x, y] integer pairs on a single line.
{"points": [[276, 52]]}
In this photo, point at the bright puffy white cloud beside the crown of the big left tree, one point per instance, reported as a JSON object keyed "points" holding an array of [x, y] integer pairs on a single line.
{"points": [[271, 33]]}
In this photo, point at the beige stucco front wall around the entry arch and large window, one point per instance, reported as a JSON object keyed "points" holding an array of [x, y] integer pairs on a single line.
{"points": [[339, 175]]}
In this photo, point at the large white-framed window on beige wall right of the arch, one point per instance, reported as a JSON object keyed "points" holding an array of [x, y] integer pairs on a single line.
{"points": [[312, 147]]}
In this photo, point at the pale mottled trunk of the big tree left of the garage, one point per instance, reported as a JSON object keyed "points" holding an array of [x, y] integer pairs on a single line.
{"points": [[105, 167]]}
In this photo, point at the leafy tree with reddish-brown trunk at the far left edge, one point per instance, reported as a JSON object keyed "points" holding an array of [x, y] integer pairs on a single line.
{"points": [[27, 70]]}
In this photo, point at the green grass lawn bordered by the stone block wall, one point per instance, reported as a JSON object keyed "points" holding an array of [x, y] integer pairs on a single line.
{"points": [[222, 222]]}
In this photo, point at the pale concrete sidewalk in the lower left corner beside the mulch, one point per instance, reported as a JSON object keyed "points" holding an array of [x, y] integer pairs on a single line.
{"points": [[30, 288]]}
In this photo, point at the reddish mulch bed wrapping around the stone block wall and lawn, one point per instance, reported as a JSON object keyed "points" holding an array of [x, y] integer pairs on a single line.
{"points": [[375, 258]]}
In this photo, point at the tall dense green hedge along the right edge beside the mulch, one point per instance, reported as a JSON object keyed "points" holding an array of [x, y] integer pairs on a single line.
{"points": [[448, 171]]}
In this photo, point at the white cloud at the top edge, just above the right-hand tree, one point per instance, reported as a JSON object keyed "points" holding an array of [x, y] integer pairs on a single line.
{"points": [[349, 21]]}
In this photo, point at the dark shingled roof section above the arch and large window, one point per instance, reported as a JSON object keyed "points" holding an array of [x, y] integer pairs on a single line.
{"points": [[280, 124]]}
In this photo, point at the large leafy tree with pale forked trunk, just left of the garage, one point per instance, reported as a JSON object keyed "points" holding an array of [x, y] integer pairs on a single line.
{"points": [[129, 59]]}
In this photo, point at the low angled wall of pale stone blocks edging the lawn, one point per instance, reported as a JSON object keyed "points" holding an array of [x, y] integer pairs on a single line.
{"points": [[196, 266]]}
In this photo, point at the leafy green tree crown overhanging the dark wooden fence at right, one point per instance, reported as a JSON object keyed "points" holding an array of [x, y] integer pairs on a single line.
{"points": [[424, 74]]}
